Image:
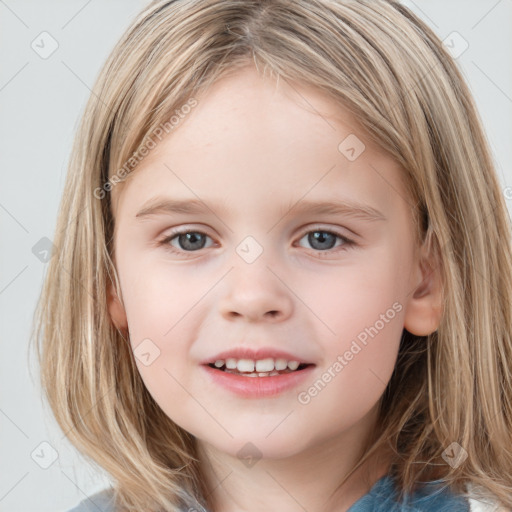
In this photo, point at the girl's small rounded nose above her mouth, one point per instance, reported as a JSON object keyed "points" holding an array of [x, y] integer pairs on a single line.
{"points": [[255, 293]]}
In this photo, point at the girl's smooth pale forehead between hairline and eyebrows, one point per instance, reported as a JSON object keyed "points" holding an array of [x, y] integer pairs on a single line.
{"points": [[256, 142]]}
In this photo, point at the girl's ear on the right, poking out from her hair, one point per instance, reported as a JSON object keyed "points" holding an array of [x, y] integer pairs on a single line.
{"points": [[425, 307]]}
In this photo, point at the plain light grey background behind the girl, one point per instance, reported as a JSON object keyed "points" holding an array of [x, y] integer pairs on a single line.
{"points": [[41, 100]]}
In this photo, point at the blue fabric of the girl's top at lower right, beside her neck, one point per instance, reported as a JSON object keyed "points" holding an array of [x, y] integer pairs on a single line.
{"points": [[432, 497]]}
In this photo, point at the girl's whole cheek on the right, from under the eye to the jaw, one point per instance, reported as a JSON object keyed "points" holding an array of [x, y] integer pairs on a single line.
{"points": [[362, 317]]}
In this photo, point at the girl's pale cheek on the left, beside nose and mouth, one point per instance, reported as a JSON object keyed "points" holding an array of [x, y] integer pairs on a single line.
{"points": [[162, 307]]}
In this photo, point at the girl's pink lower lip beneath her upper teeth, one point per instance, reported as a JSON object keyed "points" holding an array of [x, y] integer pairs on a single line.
{"points": [[258, 387]]}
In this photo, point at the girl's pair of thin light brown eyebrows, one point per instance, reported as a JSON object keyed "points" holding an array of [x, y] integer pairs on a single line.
{"points": [[352, 209]]}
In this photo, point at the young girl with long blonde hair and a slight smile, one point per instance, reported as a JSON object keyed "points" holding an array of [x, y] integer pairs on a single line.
{"points": [[284, 273]]}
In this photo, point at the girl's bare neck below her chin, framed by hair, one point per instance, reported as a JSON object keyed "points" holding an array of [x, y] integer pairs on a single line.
{"points": [[308, 480]]}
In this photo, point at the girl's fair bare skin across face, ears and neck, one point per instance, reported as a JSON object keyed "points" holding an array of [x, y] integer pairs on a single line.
{"points": [[250, 149]]}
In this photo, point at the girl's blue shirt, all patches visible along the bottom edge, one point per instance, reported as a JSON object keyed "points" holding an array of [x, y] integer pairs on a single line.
{"points": [[381, 498]]}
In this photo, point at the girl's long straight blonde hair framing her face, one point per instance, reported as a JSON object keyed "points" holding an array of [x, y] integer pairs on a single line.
{"points": [[379, 61]]}
